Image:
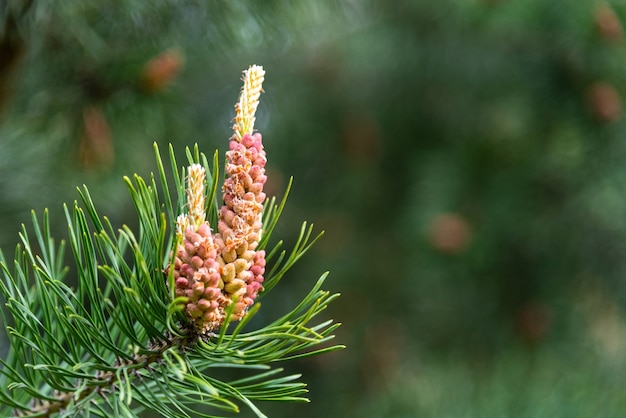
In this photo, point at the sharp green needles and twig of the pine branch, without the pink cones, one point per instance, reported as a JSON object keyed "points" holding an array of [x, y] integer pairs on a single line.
{"points": [[116, 343]]}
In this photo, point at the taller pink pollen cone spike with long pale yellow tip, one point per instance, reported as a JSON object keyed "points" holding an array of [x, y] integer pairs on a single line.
{"points": [[240, 218]]}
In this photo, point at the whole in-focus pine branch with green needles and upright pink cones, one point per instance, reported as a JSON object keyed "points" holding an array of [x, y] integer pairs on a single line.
{"points": [[140, 329]]}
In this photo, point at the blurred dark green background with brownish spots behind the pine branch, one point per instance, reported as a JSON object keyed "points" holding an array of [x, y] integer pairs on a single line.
{"points": [[466, 159]]}
